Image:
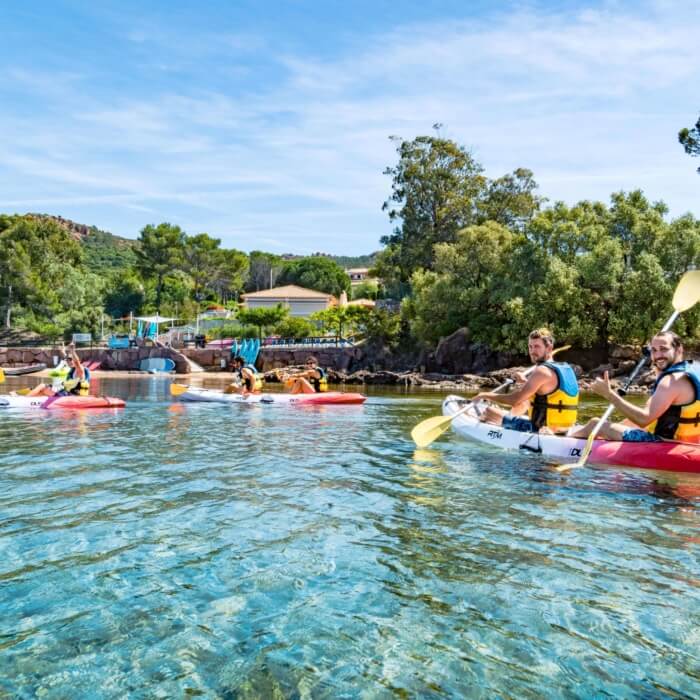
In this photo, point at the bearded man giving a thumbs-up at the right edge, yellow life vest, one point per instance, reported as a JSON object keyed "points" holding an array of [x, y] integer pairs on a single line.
{"points": [[672, 412]]}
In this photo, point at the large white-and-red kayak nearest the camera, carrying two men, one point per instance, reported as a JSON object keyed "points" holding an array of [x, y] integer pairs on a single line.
{"points": [[667, 456]]}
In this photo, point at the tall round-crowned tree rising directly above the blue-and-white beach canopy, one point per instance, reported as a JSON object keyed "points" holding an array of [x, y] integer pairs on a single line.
{"points": [[160, 253]]}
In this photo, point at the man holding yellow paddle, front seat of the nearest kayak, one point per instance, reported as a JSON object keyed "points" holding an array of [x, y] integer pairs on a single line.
{"points": [[551, 390]]}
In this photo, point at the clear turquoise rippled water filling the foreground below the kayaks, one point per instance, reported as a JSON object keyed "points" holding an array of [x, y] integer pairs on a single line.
{"points": [[171, 550]]}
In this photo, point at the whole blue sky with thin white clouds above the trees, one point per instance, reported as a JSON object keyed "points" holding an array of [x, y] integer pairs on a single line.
{"points": [[266, 124]]}
